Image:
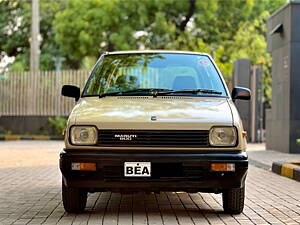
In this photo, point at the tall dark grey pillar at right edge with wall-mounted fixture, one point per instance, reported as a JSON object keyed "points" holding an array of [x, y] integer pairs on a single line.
{"points": [[283, 124]]}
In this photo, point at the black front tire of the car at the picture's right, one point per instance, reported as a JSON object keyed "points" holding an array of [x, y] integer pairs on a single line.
{"points": [[233, 200]]}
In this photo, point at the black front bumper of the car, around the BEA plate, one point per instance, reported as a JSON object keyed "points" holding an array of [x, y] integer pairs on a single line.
{"points": [[171, 171]]}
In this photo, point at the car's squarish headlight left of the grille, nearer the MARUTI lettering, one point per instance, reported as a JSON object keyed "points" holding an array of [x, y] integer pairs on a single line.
{"points": [[83, 135]]}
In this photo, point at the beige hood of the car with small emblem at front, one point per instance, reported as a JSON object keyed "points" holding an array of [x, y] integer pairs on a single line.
{"points": [[165, 112]]}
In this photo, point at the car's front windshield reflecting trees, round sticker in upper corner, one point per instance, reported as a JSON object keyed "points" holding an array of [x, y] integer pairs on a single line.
{"points": [[159, 72]]}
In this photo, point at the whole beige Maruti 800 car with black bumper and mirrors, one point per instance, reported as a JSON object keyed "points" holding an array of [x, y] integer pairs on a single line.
{"points": [[154, 121]]}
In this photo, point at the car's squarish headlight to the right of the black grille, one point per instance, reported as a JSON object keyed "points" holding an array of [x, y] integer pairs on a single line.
{"points": [[223, 136]]}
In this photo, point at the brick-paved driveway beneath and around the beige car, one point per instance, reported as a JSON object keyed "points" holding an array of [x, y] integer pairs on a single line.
{"points": [[30, 194]]}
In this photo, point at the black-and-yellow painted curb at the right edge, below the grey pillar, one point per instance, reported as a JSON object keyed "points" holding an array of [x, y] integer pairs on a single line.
{"points": [[287, 169]]}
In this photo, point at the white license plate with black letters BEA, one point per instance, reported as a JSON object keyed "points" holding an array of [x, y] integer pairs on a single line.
{"points": [[137, 169]]}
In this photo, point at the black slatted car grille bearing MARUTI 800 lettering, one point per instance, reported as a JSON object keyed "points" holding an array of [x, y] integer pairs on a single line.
{"points": [[175, 138]]}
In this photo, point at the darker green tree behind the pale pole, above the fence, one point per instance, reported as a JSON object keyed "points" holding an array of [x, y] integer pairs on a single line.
{"points": [[15, 23]]}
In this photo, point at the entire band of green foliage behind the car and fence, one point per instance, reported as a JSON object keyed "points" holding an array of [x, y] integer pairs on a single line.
{"points": [[80, 30]]}
